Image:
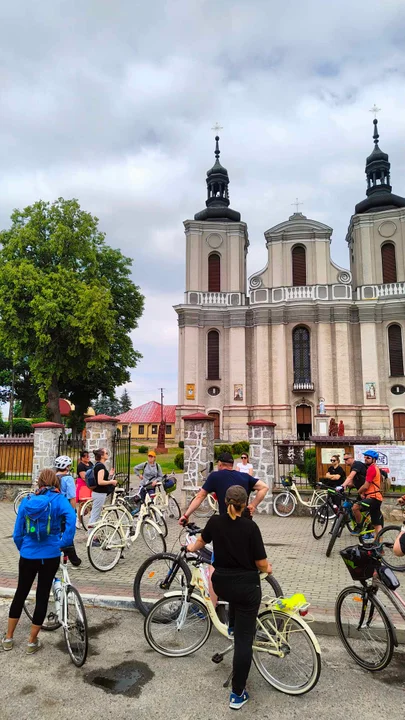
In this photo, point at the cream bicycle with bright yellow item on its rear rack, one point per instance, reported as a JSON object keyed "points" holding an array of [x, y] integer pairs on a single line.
{"points": [[285, 650]]}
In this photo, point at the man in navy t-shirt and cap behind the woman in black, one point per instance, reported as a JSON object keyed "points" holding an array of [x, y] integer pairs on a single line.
{"points": [[219, 481]]}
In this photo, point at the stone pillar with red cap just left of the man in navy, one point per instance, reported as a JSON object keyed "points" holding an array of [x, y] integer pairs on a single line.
{"points": [[198, 452]]}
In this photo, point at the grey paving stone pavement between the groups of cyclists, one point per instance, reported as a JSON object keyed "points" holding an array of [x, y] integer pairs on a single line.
{"points": [[299, 561]]}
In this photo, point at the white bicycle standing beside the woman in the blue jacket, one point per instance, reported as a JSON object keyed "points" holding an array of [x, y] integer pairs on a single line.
{"points": [[68, 612]]}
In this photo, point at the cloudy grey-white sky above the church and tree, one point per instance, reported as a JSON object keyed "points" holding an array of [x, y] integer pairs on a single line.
{"points": [[113, 104]]}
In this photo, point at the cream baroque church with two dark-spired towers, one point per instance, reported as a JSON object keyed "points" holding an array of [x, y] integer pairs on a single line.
{"points": [[303, 338]]}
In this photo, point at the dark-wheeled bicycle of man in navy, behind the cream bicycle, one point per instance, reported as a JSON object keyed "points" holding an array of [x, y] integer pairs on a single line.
{"points": [[163, 572]]}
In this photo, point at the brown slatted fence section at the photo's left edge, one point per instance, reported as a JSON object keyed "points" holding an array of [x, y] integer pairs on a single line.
{"points": [[16, 458]]}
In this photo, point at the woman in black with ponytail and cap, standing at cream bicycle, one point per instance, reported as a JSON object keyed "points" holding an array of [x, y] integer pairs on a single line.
{"points": [[239, 554]]}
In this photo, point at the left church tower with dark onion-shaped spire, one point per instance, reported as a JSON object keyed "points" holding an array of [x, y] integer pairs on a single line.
{"points": [[212, 319]]}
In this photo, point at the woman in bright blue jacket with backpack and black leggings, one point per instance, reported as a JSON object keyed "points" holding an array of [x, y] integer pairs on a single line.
{"points": [[38, 536]]}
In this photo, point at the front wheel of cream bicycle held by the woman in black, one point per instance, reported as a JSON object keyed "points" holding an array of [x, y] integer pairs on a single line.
{"points": [[171, 634]]}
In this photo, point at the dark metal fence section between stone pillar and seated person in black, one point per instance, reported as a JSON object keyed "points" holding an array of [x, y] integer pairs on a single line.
{"points": [[295, 458]]}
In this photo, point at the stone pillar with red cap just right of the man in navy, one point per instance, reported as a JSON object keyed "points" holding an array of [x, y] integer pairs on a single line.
{"points": [[261, 455]]}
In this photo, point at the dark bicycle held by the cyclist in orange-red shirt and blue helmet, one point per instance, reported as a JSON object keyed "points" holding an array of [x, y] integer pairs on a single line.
{"points": [[344, 518]]}
